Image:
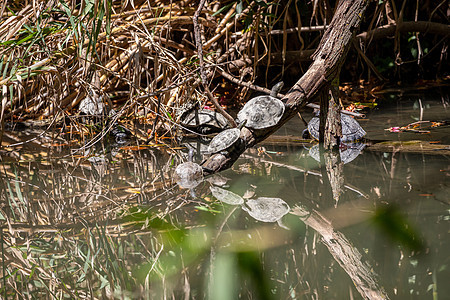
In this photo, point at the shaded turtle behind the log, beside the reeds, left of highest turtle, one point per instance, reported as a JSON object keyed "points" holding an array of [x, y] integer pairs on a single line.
{"points": [[204, 121]]}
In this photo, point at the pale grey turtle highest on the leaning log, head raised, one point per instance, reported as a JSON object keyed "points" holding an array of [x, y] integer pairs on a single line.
{"points": [[262, 111]]}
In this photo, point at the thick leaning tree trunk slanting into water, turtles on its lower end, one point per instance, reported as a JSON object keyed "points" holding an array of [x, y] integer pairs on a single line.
{"points": [[327, 60]]}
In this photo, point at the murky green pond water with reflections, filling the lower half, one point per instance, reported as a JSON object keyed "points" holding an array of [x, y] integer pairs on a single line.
{"points": [[116, 226]]}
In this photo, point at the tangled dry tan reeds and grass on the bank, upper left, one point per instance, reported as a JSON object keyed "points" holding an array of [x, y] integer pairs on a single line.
{"points": [[136, 55]]}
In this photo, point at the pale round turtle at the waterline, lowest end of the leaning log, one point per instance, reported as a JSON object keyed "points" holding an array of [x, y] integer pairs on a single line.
{"points": [[189, 174]]}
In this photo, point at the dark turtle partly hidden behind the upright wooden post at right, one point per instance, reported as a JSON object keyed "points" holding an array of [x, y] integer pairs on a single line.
{"points": [[351, 130]]}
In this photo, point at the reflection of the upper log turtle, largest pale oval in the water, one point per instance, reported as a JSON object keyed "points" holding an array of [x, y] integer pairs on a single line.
{"points": [[266, 209]]}
